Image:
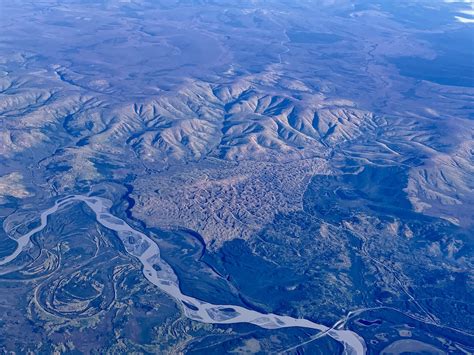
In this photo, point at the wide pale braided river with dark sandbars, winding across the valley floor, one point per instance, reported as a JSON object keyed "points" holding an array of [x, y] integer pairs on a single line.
{"points": [[159, 273]]}
